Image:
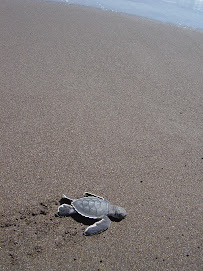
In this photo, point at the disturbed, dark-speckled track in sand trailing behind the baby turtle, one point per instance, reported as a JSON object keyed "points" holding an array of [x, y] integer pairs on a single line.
{"points": [[30, 234]]}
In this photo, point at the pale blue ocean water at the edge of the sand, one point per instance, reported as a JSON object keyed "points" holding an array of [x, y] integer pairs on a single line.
{"points": [[185, 13]]}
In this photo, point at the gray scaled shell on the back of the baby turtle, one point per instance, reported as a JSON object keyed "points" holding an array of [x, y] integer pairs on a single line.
{"points": [[91, 207]]}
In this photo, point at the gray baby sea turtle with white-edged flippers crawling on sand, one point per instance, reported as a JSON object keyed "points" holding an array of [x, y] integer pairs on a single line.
{"points": [[95, 207]]}
